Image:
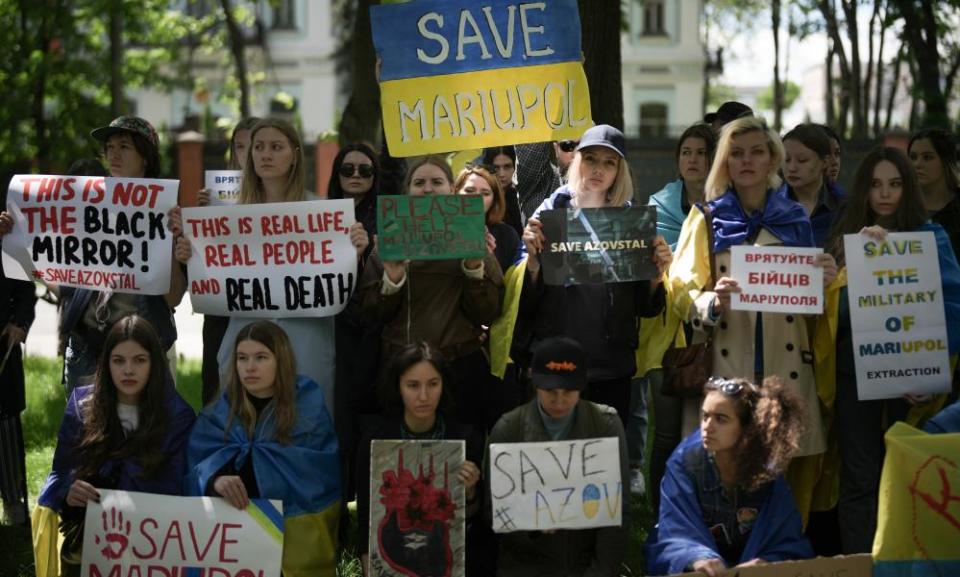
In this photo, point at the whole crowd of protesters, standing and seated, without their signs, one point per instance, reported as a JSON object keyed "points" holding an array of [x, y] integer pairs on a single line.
{"points": [[291, 405]]}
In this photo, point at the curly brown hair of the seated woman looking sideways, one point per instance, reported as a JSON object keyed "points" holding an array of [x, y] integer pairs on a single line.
{"points": [[771, 423]]}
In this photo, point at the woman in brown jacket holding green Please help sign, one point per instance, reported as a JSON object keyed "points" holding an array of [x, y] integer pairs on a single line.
{"points": [[444, 302]]}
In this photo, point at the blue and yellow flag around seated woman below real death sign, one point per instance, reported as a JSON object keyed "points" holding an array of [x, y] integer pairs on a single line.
{"points": [[305, 473]]}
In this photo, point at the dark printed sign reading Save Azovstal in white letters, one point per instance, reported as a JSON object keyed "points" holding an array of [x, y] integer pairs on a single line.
{"points": [[597, 245]]}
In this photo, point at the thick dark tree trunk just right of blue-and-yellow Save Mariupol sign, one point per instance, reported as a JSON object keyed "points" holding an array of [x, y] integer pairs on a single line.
{"points": [[600, 29]]}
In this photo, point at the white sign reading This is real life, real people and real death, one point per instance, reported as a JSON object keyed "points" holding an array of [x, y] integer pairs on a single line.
{"points": [[283, 259]]}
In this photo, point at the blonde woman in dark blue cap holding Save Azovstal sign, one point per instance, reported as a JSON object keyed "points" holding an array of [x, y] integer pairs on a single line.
{"points": [[604, 317]]}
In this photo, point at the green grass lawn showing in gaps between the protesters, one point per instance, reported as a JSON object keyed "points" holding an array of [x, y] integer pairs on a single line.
{"points": [[41, 421]]}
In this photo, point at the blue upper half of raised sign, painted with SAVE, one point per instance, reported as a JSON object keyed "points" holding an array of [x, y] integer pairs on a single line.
{"points": [[432, 37]]}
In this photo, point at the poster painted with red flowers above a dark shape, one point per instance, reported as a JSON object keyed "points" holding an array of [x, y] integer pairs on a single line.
{"points": [[417, 517]]}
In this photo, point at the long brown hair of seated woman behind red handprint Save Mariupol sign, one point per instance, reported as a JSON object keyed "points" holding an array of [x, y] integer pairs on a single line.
{"points": [[102, 438]]}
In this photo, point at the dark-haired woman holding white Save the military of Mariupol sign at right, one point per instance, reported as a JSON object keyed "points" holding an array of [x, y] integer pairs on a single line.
{"points": [[885, 197]]}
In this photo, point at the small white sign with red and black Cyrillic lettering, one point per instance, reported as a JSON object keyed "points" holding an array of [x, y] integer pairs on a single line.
{"points": [[777, 279]]}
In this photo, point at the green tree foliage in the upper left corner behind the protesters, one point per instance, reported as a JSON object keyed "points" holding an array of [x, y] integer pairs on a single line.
{"points": [[56, 71]]}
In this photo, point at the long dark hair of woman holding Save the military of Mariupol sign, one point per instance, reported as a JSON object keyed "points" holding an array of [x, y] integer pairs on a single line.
{"points": [[858, 214]]}
